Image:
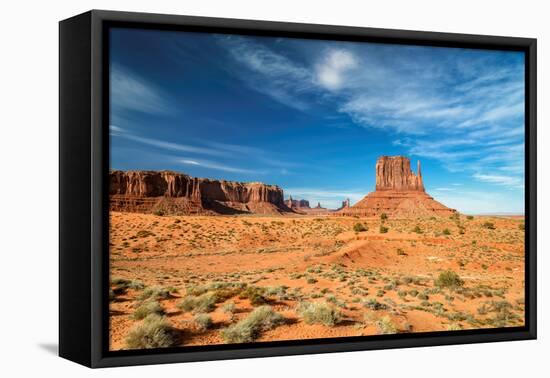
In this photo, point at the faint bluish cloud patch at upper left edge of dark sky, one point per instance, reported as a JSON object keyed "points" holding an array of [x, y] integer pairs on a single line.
{"points": [[131, 92]]}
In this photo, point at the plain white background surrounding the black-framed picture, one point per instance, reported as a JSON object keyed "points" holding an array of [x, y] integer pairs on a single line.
{"points": [[29, 186]]}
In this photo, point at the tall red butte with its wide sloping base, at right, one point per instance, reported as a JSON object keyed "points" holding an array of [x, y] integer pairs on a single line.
{"points": [[398, 192]]}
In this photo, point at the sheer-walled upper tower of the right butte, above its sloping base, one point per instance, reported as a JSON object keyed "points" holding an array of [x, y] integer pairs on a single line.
{"points": [[394, 173]]}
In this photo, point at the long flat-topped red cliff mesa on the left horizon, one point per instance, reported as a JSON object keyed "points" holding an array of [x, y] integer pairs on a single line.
{"points": [[176, 193]]}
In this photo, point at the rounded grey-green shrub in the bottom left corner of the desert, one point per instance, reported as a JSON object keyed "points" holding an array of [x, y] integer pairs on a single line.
{"points": [[154, 332]]}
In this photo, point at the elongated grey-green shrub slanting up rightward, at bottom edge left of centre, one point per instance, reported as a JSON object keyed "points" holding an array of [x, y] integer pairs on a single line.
{"points": [[247, 330]]}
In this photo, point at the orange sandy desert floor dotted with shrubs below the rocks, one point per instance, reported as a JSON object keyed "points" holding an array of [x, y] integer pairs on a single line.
{"points": [[205, 274]]}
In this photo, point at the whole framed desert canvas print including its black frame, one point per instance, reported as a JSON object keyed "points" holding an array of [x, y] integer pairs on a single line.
{"points": [[233, 188]]}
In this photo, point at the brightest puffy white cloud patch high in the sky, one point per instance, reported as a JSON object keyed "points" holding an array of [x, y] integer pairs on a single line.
{"points": [[331, 72]]}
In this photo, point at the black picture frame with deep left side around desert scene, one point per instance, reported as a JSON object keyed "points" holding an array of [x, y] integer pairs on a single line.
{"points": [[83, 196]]}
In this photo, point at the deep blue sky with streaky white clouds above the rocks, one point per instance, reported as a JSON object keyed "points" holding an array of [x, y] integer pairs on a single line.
{"points": [[313, 116]]}
